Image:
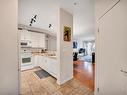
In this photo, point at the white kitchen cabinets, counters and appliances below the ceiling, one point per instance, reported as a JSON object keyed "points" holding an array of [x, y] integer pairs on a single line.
{"points": [[37, 49]]}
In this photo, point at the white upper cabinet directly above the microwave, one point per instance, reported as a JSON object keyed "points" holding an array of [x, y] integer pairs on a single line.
{"points": [[25, 35]]}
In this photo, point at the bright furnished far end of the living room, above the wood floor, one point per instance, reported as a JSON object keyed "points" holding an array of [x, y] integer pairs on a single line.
{"points": [[84, 50]]}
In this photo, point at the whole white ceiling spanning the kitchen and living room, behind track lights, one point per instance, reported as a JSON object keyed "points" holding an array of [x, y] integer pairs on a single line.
{"points": [[82, 10]]}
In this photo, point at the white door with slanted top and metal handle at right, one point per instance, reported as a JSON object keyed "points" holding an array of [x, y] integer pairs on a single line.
{"points": [[113, 51]]}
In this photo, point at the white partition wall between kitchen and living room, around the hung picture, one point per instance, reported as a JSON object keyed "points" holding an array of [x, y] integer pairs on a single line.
{"points": [[65, 49]]}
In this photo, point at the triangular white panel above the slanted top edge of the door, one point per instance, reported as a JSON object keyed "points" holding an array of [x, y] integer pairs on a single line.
{"points": [[102, 6]]}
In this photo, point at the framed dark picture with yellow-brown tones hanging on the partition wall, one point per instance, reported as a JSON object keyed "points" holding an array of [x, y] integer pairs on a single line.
{"points": [[67, 33]]}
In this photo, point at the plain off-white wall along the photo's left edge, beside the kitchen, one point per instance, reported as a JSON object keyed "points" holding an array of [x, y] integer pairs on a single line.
{"points": [[8, 48]]}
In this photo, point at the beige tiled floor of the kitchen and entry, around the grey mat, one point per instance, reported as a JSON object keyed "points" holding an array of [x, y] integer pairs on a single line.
{"points": [[31, 84]]}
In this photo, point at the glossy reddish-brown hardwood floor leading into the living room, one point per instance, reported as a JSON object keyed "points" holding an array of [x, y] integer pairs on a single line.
{"points": [[84, 72]]}
